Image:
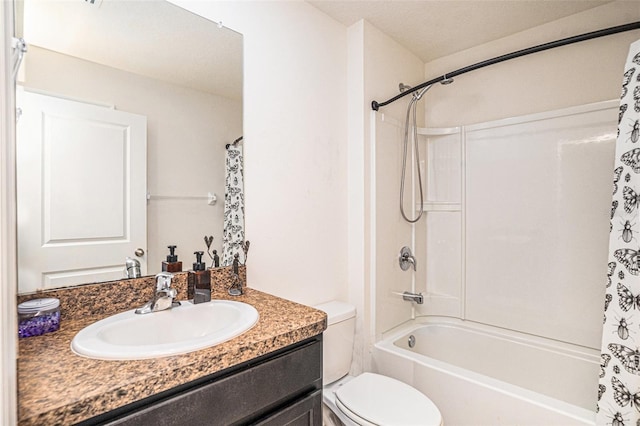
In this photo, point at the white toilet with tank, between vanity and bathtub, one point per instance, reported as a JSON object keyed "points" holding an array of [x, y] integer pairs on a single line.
{"points": [[368, 399]]}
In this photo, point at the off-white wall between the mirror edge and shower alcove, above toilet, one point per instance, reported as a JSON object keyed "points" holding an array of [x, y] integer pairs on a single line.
{"points": [[295, 125]]}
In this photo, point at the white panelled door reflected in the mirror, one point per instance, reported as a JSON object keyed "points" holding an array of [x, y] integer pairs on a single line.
{"points": [[81, 191]]}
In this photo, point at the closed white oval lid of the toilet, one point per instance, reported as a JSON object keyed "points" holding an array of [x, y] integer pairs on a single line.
{"points": [[381, 400]]}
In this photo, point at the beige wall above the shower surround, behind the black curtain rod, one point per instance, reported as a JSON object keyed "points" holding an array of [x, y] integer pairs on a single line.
{"points": [[581, 73]]}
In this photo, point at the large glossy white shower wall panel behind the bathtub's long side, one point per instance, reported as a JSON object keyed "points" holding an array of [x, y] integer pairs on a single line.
{"points": [[538, 200]]}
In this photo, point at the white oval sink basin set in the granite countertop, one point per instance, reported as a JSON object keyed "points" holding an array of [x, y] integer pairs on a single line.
{"points": [[185, 328]]}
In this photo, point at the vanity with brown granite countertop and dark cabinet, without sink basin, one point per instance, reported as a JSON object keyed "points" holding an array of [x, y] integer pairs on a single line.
{"points": [[271, 374]]}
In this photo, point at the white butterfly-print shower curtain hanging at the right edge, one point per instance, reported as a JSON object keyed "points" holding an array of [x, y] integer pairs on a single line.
{"points": [[619, 386]]}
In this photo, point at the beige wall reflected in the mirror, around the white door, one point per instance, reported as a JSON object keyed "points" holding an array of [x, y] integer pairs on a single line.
{"points": [[186, 135]]}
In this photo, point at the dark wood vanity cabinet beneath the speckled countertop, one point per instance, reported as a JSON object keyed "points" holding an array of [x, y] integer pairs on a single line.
{"points": [[283, 388]]}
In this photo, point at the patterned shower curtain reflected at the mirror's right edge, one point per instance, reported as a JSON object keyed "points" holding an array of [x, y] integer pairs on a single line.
{"points": [[233, 232]]}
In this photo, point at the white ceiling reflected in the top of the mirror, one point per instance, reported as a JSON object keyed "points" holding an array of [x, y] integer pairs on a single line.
{"points": [[152, 38]]}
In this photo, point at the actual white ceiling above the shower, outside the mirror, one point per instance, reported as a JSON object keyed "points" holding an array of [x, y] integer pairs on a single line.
{"points": [[435, 28]]}
